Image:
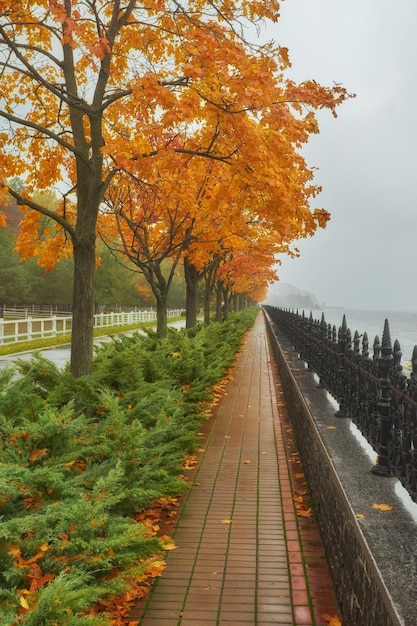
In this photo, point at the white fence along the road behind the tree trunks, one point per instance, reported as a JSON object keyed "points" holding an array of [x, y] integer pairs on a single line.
{"points": [[18, 330]]}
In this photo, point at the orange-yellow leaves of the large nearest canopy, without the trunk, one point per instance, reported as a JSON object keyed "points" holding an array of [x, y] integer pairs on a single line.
{"points": [[199, 75]]}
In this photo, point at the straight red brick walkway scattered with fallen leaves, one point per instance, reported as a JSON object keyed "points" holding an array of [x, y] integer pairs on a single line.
{"points": [[248, 549]]}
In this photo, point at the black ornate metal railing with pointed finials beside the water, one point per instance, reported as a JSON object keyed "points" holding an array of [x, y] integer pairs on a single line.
{"points": [[371, 390]]}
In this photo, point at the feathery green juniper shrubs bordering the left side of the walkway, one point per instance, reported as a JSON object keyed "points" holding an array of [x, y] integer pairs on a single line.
{"points": [[81, 460]]}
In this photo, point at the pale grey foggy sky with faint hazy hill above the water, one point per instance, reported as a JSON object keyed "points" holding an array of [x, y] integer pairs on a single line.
{"points": [[367, 156]]}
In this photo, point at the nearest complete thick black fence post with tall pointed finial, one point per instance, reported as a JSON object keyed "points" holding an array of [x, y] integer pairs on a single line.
{"points": [[383, 465]]}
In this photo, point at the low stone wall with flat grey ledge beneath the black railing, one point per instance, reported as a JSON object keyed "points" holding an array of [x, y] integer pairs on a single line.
{"points": [[372, 554]]}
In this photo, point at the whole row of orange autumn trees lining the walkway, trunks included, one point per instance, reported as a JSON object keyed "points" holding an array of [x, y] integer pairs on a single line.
{"points": [[166, 132]]}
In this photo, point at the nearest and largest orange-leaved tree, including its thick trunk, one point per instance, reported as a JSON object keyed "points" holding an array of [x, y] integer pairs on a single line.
{"points": [[91, 90]]}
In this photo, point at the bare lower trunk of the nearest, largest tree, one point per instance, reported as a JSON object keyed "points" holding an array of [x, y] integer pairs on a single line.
{"points": [[83, 308]]}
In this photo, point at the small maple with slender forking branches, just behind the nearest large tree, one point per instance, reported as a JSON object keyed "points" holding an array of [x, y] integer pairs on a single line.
{"points": [[148, 227]]}
